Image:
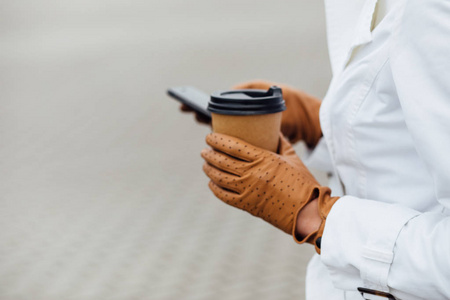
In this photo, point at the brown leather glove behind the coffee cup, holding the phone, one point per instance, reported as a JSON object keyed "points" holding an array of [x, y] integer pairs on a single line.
{"points": [[300, 120]]}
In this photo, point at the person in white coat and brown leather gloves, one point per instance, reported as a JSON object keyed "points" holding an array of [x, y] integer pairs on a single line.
{"points": [[384, 131]]}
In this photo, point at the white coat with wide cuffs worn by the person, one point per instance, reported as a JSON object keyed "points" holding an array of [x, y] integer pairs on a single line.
{"points": [[386, 127]]}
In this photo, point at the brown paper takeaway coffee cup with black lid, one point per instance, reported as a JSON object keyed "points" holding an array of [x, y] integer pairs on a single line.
{"points": [[251, 115]]}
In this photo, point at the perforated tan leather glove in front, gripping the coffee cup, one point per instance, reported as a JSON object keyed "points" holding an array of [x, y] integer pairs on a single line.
{"points": [[272, 186]]}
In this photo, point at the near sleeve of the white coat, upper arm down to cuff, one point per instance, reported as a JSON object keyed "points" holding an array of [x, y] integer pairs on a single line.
{"points": [[390, 247]]}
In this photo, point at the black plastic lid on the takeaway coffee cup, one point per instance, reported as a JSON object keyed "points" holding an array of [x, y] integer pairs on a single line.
{"points": [[247, 102]]}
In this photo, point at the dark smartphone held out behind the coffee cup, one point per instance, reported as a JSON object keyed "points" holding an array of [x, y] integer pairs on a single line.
{"points": [[192, 97]]}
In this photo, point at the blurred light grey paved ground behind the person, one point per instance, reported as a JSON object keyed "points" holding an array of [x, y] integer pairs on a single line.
{"points": [[102, 194]]}
